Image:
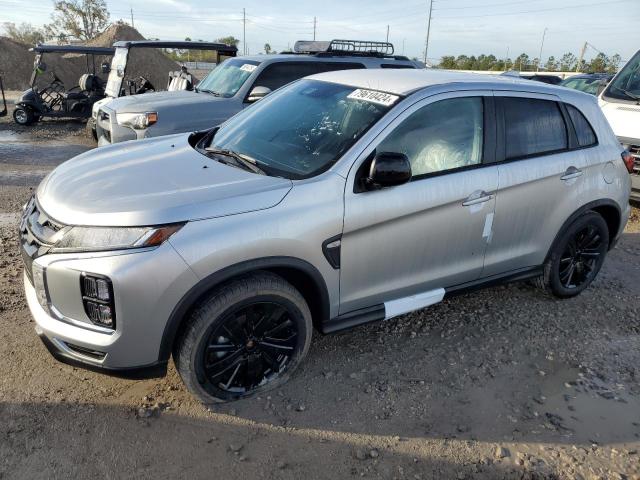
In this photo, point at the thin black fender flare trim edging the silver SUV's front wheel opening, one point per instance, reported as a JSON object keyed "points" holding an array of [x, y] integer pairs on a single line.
{"points": [[191, 298]]}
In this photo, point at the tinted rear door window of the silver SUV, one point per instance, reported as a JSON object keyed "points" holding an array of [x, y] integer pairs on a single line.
{"points": [[533, 127]]}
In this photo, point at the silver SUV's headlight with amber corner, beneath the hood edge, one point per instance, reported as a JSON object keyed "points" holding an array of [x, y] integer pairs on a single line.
{"points": [[91, 239]]}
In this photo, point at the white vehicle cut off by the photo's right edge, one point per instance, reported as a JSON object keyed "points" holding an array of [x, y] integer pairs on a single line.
{"points": [[620, 102]]}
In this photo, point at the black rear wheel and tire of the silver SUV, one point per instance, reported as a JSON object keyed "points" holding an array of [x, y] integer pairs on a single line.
{"points": [[577, 256]]}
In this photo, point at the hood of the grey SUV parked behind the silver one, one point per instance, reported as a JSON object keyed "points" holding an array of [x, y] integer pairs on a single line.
{"points": [[158, 101]]}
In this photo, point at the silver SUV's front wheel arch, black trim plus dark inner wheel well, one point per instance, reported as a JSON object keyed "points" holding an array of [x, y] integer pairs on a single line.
{"points": [[301, 274]]}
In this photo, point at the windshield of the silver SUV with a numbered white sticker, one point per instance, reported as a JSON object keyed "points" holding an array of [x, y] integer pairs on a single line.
{"points": [[303, 128]]}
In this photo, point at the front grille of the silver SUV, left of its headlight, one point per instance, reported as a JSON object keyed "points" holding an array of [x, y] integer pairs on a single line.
{"points": [[37, 233]]}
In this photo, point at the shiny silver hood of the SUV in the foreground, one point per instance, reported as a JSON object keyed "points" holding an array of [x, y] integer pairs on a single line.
{"points": [[152, 182]]}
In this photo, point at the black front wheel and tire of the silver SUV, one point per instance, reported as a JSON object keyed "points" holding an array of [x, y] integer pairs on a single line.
{"points": [[246, 338]]}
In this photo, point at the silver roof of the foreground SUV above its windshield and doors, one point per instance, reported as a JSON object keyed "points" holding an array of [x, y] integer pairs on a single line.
{"points": [[405, 81]]}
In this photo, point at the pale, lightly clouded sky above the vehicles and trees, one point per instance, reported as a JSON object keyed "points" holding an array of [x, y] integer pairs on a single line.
{"points": [[469, 27]]}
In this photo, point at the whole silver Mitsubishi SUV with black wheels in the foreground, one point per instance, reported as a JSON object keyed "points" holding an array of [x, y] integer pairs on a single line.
{"points": [[343, 198]]}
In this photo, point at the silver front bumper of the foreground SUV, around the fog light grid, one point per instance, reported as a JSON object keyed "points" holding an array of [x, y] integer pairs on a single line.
{"points": [[147, 285]]}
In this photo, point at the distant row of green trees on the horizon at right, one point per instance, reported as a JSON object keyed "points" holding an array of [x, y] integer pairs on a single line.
{"points": [[601, 63]]}
